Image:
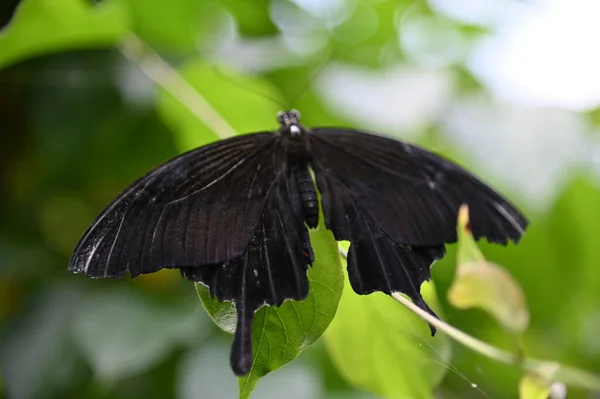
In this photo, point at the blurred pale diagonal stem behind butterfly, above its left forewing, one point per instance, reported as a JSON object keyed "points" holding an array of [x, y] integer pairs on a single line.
{"points": [[164, 75]]}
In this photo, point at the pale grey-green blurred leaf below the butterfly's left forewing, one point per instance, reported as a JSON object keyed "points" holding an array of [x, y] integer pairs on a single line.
{"points": [[122, 334]]}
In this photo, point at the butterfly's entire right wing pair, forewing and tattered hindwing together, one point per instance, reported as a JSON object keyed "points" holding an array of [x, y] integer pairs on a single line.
{"points": [[397, 204]]}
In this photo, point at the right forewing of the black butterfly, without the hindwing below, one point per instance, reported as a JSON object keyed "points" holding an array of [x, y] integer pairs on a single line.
{"points": [[412, 194]]}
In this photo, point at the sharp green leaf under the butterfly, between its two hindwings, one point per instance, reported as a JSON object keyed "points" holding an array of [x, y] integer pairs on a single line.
{"points": [[280, 333]]}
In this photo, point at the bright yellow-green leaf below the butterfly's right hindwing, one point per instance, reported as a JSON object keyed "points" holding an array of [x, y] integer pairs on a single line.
{"points": [[379, 345]]}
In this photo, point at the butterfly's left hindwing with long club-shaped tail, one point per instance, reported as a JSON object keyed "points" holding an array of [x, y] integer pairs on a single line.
{"points": [[272, 268]]}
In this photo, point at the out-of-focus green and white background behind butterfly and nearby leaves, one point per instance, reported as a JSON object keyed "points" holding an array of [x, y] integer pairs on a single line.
{"points": [[509, 89]]}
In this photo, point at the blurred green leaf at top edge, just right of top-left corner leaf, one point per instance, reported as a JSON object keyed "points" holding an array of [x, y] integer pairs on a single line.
{"points": [[173, 26]]}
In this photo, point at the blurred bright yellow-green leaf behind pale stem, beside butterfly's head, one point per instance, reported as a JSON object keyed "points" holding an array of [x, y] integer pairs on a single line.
{"points": [[242, 101]]}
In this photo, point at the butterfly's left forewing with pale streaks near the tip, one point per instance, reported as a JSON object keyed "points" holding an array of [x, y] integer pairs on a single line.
{"points": [[199, 208]]}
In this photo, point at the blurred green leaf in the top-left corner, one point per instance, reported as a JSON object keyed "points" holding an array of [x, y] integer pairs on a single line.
{"points": [[46, 26]]}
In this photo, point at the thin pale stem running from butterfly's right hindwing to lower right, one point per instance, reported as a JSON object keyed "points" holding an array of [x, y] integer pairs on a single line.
{"points": [[566, 374]]}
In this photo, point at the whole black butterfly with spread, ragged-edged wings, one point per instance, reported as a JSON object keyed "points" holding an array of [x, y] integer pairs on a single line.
{"points": [[234, 216]]}
